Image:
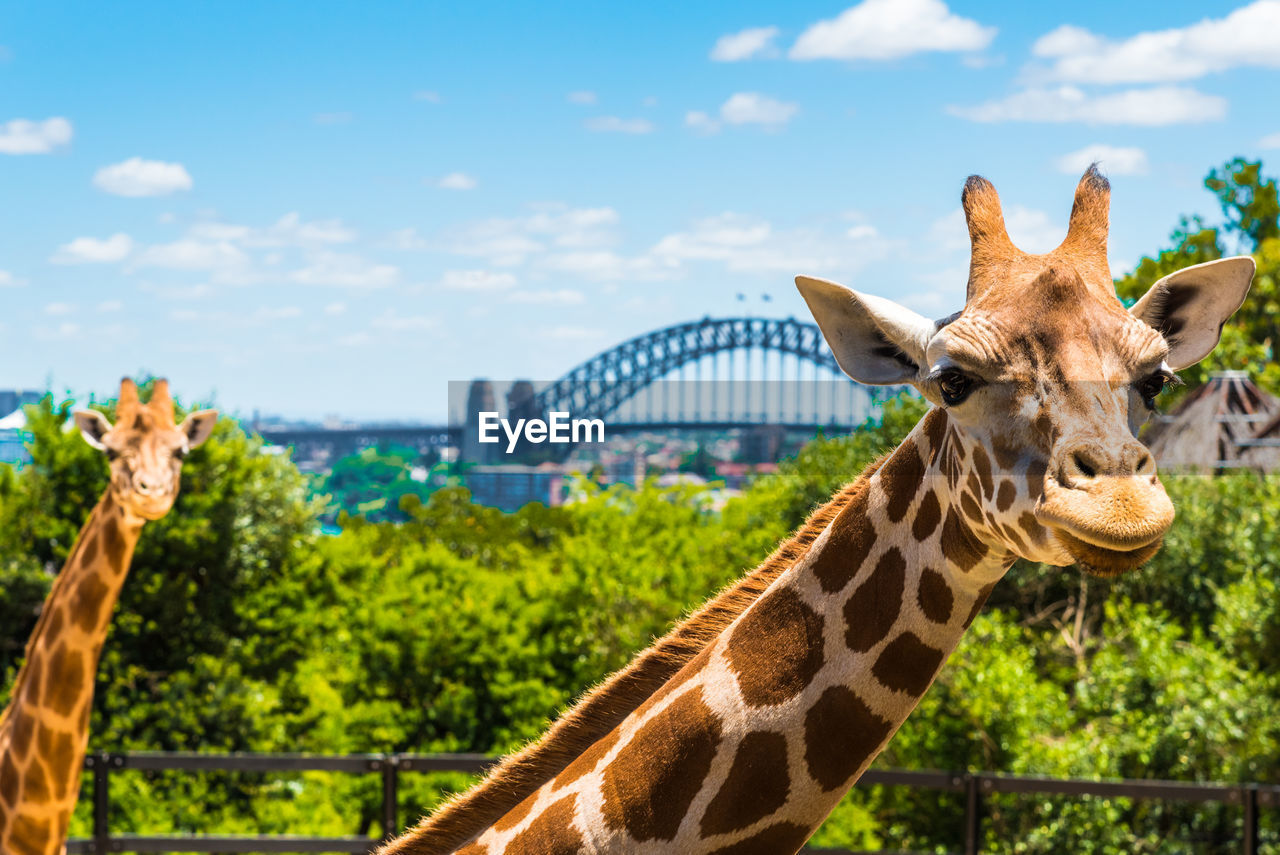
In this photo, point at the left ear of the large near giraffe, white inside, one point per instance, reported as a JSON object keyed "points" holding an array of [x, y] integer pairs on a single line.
{"points": [[875, 340]]}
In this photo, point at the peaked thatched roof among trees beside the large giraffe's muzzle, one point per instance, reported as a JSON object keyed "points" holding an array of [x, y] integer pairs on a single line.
{"points": [[1215, 428]]}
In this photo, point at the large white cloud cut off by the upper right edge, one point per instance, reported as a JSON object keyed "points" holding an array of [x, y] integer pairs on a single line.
{"points": [[1246, 38]]}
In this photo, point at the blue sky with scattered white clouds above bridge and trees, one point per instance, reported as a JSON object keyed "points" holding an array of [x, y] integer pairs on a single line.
{"points": [[330, 208]]}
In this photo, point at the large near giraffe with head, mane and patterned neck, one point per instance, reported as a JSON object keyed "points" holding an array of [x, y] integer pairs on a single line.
{"points": [[740, 731]]}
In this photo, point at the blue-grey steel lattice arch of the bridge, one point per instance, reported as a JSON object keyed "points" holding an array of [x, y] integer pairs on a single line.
{"points": [[598, 387]]}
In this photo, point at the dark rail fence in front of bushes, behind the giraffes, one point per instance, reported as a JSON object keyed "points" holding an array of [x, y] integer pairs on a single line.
{"points": [[976, 788]]}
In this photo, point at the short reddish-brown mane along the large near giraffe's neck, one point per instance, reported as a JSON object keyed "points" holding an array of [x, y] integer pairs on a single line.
{"points": [[465, 816]]}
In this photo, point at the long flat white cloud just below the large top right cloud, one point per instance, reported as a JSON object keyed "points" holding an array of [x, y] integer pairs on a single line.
{"points": [[1149, 108]]}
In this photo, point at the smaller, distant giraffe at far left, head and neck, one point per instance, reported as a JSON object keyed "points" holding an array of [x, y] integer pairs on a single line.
{"points": [[44, 733]]}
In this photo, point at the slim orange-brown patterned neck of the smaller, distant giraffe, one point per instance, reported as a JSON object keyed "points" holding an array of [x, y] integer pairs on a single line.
{"points": [[44, 733]]}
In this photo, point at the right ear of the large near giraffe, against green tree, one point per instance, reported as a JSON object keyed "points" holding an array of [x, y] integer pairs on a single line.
{"points": [[1190, 308]]}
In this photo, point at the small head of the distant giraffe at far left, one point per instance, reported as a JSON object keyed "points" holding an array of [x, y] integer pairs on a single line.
{"points": [[145, 447]]}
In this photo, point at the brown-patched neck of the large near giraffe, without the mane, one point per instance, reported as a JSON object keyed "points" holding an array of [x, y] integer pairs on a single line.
{"points": [[757, 739]]}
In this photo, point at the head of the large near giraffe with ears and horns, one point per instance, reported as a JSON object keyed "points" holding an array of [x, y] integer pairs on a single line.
{"points": [[1045, 378]]}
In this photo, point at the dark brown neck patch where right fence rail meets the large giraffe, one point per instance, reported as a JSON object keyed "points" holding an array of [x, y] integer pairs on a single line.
{"points": [[840, 734]]}
